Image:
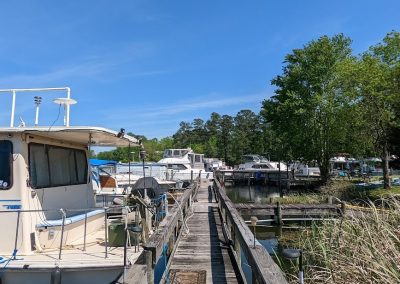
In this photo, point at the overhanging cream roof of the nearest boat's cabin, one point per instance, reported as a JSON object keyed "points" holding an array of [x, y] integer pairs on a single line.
{"points": [[77, 134]]}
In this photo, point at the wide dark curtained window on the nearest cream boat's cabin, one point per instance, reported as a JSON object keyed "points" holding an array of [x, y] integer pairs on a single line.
{"points": [[51, 166]]}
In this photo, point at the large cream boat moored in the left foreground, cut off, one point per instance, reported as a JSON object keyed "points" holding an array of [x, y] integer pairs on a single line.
{"points": [[50, 227]]}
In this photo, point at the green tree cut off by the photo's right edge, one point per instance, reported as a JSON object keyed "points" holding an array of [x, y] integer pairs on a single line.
{"points": [[379, 74]]}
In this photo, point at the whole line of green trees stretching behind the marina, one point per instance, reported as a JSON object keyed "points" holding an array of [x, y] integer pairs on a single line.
{"points": [[327, 101]]}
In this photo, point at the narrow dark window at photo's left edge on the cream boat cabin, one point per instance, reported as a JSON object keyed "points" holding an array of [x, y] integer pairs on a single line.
{"points": [[5, 164]]}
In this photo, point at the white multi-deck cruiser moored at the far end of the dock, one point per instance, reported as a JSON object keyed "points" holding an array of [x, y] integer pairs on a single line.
{"points": [[184, 164]]}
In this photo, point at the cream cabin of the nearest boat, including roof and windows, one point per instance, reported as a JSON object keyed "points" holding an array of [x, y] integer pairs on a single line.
{"points": [[45, 182]]}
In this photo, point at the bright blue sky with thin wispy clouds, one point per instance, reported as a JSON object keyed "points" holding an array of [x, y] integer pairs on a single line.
{"points": [[147, 65]]}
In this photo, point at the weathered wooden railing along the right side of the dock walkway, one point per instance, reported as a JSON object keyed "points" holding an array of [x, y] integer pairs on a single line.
{"points": [[253, 260]]}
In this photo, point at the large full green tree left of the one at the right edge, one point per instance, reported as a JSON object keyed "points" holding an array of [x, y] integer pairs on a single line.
{"points": [[309, 112]]}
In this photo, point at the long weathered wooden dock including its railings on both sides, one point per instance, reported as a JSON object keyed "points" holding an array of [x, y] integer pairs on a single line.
{"points": [[219, 247]]}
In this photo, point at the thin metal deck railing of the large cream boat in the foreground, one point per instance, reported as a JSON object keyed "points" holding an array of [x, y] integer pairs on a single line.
{"points": [[63, 213]]}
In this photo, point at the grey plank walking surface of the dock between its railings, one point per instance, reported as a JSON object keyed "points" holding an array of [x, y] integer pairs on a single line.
{"points": [[202, 255]]}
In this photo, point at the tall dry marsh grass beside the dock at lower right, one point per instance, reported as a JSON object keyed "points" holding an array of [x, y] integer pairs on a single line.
{"points": [[360, 248]]}
